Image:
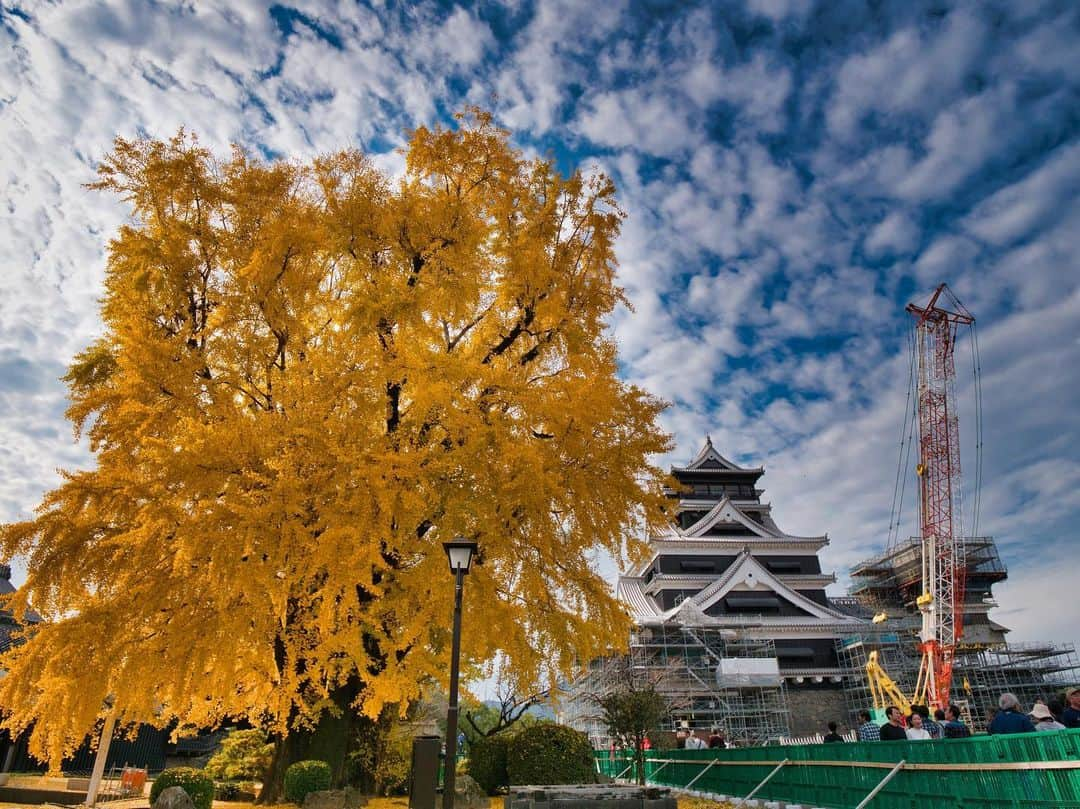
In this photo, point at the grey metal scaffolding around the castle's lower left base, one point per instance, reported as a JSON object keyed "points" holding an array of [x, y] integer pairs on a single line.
{"points": [[712, 678]]}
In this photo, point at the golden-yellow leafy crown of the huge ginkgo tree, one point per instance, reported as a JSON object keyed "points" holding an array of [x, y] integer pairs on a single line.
{"points": [[312, 375]]}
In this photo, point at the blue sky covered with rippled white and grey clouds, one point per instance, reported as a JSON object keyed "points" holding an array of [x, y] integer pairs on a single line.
{"points": [[794, 173]]}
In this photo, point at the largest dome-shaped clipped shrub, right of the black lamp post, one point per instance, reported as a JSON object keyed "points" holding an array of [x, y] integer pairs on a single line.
{"points": [[550, 754]]}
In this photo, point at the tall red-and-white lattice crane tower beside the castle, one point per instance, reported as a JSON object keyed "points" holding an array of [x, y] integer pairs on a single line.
{"points": [[941, 603]]}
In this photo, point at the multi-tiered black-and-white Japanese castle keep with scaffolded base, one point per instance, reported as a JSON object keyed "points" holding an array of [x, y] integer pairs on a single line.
{"points": [[732, 617]]}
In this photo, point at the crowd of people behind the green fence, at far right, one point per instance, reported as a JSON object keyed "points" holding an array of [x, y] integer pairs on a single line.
{"points": [[1008, 719]]}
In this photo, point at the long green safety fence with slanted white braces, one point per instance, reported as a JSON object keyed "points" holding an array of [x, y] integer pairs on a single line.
{"points": [[1039, 770]]}
